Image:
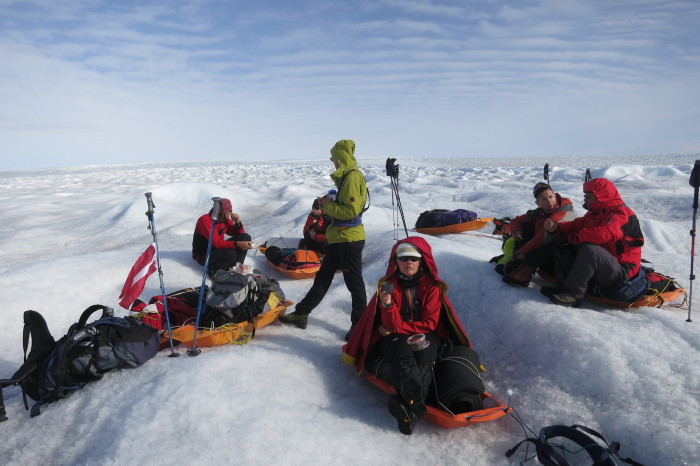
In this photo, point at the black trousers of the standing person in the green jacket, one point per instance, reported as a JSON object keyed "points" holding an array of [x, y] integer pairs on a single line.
{"points": [[348, 258]]}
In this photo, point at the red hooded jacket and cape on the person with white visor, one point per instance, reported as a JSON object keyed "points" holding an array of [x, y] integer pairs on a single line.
{"points": [[438, 315]]}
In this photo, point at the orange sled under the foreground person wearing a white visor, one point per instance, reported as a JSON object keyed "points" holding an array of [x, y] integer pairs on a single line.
{"points": [[448, 420]]}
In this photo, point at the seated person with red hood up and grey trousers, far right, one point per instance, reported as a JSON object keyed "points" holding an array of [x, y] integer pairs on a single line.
{"points": [[604, 247]]}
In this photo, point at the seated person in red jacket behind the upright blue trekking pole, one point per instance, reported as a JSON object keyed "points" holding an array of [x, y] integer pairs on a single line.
{"points": [[225, 252]]}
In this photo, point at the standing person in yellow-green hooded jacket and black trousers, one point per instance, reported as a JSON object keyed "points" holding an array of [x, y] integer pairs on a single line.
{"points": [[345, 236]]}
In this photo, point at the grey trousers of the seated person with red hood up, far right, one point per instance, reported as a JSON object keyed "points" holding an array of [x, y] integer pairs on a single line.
{"points": [[576, 268]]}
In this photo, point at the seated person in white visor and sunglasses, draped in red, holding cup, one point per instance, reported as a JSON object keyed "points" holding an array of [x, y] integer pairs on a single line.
{"points": [[410, 300]]}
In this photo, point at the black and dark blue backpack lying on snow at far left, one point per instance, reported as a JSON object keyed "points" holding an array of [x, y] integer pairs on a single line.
{"points": [[55, 369]]}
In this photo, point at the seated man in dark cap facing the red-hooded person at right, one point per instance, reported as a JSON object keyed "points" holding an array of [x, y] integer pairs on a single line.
{"points": [[527, 232]]}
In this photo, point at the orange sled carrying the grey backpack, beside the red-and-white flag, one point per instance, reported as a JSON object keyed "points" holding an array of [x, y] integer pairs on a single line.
{"points": [[239, 333]]}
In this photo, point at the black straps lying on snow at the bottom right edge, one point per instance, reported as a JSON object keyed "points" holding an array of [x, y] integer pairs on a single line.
{"points": [[548, 456]]}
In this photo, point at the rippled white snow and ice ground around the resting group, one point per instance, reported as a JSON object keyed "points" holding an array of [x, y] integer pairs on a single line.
{"points": [[70, 237]]}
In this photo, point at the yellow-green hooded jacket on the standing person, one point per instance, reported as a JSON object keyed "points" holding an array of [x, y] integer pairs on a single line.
{"points": [[352, 194]]}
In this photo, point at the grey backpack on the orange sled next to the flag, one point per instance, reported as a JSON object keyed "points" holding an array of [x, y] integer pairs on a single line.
{"points": [[237, 297]]}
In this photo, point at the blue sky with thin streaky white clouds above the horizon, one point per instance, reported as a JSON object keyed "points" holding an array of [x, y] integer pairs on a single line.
{"points": [[95, 82]]}
